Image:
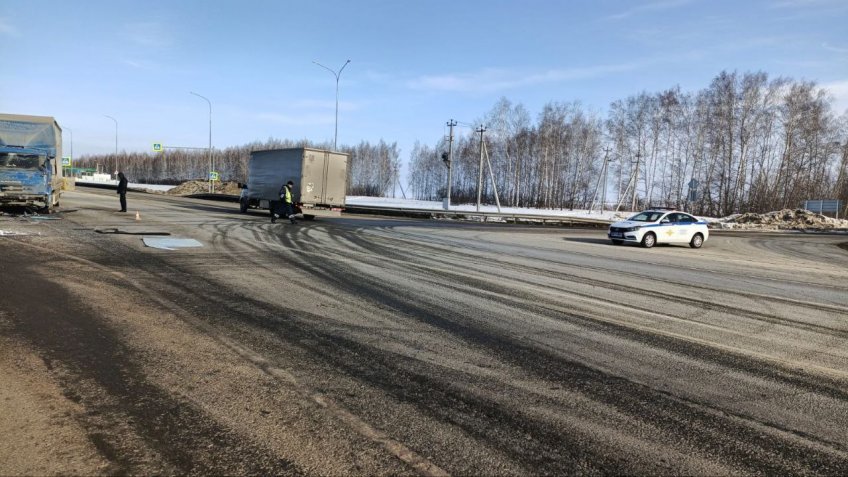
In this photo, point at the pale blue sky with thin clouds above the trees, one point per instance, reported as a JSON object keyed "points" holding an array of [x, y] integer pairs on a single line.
{"points": [[414, 64]]}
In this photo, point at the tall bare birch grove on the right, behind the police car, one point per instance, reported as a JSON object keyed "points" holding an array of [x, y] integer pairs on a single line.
{"points": [[744, 143]]}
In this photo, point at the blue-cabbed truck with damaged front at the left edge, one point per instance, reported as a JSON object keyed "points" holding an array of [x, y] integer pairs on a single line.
{"points": [[30, 161]]}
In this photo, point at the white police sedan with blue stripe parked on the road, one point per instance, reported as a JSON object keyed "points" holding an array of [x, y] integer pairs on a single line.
{"points": [[660, 226]]}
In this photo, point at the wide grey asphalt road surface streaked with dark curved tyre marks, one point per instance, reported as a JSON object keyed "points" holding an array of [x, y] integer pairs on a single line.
{"points": [[362, 345]]}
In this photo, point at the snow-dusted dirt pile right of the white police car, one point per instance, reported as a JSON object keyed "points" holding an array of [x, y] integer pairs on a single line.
{"points": [[786, 219]]}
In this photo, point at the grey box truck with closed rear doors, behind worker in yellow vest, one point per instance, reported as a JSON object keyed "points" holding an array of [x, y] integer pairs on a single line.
{"points": [[319, 176]]}
